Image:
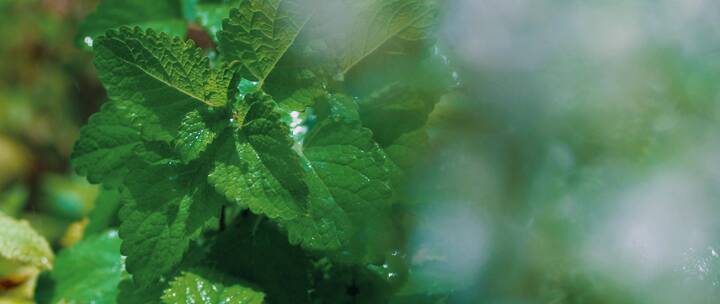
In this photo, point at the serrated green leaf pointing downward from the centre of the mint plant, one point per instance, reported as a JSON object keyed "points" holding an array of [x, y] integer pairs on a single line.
{"points": [[257, 166]]}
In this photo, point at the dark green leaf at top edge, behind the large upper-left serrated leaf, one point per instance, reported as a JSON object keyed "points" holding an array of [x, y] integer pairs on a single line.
{"points": [[160, 15]]}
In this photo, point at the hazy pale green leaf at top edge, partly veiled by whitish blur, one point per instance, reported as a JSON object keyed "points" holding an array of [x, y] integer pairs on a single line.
{"points": [[341, 34]]}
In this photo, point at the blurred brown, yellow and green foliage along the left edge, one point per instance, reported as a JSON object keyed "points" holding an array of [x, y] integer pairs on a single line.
{"points": [[47, 89]]}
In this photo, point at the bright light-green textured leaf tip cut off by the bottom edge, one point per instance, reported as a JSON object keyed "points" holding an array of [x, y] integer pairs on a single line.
{"points": [[192, 288]]}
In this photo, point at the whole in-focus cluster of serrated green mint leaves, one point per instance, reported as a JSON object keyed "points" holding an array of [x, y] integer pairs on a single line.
{"points": [[268, 168]]}
